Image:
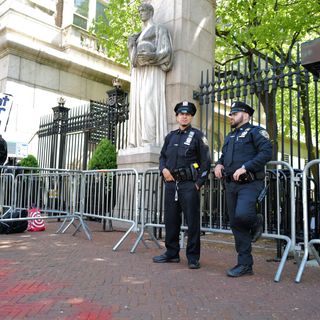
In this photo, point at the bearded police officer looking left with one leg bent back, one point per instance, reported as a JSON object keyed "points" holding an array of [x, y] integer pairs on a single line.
{"points": [[245, 152]]}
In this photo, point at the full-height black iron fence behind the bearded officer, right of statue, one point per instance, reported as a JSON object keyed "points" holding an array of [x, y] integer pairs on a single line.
{"points": [[285, 97]]}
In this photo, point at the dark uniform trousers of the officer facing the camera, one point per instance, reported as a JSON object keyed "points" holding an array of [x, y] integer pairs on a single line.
{"points": [[189, 203]]}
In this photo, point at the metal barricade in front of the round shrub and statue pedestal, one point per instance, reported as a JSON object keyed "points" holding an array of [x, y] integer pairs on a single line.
{"points": [[112, 195]]}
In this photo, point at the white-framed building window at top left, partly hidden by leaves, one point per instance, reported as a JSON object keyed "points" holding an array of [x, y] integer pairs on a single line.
{"points": [[85, 11]]}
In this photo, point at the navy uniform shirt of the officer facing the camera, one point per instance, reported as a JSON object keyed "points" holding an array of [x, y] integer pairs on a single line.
{"points": [[182, 148]]}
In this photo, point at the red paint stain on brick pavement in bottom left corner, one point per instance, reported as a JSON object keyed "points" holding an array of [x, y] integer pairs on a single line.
{"points": [[15, 293]]}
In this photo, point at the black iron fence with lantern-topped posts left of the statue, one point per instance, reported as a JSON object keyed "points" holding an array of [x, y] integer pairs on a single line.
{"points": [[68, 137]]}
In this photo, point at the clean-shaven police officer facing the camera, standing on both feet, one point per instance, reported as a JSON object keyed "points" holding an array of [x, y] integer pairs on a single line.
{"points": [[184, 164]]}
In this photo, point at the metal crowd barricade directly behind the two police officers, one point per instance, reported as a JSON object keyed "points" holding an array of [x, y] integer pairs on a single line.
{"points": [[214, 217]]}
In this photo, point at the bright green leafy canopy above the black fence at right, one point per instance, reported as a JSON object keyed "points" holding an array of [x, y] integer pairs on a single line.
{"points": [[246, 27]]}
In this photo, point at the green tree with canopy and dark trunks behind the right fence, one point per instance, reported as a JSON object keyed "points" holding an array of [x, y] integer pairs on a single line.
{"points": [[249, 28]]}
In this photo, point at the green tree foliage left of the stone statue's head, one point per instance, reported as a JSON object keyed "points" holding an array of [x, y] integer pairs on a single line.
{"points": [[122, 20]]}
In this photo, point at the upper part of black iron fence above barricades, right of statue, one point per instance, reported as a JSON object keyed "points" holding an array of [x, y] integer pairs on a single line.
{"points": [[284, 95]]}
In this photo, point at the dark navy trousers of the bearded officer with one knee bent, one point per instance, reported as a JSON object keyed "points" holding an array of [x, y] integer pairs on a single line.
{"points": [[241, 202]]}
